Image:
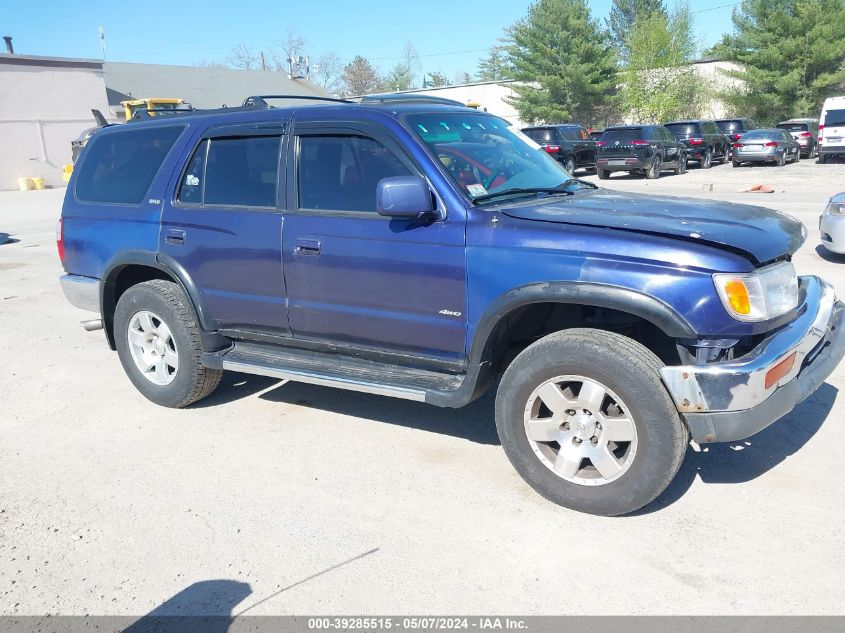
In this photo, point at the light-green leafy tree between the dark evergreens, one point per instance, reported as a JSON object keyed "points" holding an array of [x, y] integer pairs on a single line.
{"points": [[658, 81]]}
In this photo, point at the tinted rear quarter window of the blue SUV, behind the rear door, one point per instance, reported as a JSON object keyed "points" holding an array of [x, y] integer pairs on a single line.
{"points": [[118, 168]]}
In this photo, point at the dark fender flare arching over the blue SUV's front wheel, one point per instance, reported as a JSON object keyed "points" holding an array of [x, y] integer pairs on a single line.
{"points": [[655, 311]]}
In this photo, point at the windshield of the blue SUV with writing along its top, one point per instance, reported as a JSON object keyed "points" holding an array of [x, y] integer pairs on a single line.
{"points": [[484, 154]]}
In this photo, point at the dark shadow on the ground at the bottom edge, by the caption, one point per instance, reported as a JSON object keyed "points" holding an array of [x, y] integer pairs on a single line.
{"points": [[203, 607]]}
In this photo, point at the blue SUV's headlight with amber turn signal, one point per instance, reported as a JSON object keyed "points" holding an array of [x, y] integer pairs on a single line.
{"points": [[761, 295]]}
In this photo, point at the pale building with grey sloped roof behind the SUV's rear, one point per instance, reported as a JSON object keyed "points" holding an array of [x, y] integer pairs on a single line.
{"points": [[46, 102]]}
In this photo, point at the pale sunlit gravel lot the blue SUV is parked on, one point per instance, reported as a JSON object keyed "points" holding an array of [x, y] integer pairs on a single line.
{"points": [[311, 500]]}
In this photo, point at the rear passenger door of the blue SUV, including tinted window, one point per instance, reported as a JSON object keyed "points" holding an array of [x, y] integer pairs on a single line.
{"points": [[222, 225]]}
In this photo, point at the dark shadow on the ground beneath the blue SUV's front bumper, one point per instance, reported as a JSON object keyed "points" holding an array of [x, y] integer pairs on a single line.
{"points": [[745, 460]]}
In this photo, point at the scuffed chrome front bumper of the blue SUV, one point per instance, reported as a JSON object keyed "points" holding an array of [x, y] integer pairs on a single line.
{"points": [[729, 401]]}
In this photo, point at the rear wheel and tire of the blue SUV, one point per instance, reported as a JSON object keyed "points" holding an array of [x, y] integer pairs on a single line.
{"points": [[146, 307]]}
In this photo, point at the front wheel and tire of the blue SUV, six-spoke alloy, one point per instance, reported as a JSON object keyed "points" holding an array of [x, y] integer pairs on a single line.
{"points": [[642, 467]]}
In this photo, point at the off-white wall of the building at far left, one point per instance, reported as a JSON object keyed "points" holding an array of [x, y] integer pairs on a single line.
{"points": [[42, 109]]}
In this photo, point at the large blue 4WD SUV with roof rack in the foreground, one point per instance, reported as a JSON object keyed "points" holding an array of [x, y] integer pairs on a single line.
{"points": [[358, 246]]}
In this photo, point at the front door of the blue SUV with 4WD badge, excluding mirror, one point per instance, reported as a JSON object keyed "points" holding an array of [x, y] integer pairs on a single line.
{"points": [[358, 279]]}
